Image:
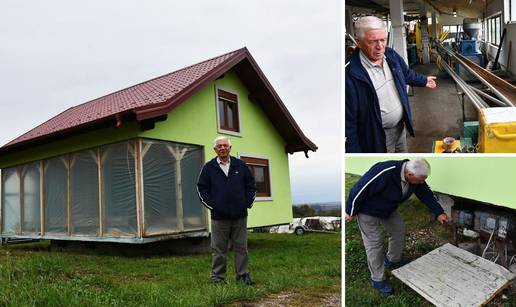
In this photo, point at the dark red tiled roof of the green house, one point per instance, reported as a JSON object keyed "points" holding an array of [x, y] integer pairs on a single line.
{"points": [[158, 96]]}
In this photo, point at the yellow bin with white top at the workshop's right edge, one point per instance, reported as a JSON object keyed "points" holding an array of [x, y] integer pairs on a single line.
{"points": [[497, 130]]}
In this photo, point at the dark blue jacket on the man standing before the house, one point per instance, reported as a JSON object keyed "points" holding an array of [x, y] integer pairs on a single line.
{"points": [[227, 197]]}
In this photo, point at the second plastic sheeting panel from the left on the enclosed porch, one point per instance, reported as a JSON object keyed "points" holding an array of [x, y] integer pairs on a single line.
{"points": [[31, 197]]}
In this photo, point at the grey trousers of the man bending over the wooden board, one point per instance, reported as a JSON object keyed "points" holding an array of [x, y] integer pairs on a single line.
{"points": [[373, 241]]}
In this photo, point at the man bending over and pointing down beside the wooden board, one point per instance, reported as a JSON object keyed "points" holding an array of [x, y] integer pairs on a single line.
{"points": [[374, 199]]}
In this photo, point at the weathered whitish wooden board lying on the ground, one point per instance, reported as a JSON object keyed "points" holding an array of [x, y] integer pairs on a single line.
{"points": [[450, 276]]}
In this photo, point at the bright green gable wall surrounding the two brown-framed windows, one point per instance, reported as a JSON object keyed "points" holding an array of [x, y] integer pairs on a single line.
{"points": [[258, 137]]}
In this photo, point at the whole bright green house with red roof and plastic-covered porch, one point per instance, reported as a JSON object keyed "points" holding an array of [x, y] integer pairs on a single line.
{"points": [[124, 167]]}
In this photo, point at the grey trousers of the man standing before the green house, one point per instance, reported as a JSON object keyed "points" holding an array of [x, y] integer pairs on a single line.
{"points": [[222, 232]]}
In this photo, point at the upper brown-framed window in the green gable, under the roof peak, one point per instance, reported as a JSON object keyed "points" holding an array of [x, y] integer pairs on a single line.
{"points": [[227, 109]]}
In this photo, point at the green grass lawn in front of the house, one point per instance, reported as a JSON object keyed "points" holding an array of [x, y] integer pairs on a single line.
{"points": [[31, 275]]}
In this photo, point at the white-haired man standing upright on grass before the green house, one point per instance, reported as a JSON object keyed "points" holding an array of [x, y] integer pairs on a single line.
{"points": [[226, 187]]}
